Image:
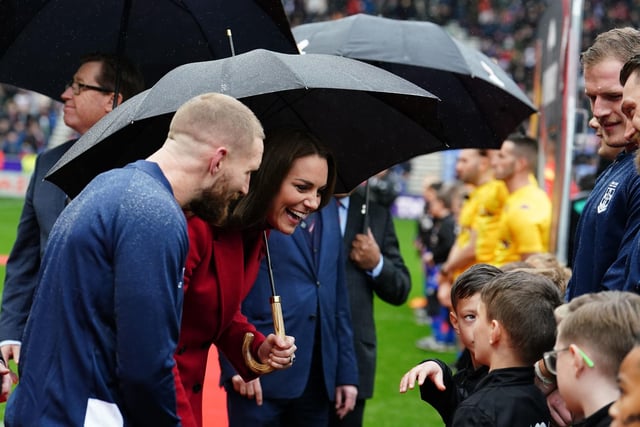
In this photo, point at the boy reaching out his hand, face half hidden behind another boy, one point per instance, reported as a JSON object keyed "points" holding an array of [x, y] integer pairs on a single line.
{"points": [[444, 391]]}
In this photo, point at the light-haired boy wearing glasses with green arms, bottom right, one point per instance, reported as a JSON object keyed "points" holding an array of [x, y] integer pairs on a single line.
{"points": [[592, 341]]}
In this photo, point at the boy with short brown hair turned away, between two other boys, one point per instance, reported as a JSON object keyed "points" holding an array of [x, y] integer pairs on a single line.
{"points": [[515, 326]]}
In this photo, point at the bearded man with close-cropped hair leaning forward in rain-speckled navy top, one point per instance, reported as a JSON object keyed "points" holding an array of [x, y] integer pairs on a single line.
{"points": [[99, 343]]}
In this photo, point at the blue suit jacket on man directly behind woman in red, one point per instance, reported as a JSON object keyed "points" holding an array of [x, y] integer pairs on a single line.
{"points": [[311, 292]]}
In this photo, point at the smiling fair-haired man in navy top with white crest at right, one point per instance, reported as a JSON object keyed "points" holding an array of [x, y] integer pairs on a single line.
{"points": [[610, 219]]}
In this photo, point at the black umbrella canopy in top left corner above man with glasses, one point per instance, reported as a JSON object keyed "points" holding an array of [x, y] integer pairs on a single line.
{"points": [[41, 41]]}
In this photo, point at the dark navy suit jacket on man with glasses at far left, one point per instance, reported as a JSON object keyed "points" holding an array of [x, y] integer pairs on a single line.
{"points": [[43, 204]]}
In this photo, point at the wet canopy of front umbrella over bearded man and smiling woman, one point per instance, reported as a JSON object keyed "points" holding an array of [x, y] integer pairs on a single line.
{"points": [[370, 118]]}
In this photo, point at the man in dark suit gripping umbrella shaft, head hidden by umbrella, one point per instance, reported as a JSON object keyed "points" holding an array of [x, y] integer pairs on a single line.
{"points": [[375, 266]]}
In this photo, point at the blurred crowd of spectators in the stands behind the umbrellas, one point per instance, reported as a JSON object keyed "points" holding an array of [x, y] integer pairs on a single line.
{"points": [[502, 29]]}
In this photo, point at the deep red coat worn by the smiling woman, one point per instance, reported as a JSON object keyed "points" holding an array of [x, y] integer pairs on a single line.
{"points": [[220, 270]]}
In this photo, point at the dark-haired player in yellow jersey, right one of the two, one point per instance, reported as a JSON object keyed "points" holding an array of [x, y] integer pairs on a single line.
{"points": [[526, 218]]}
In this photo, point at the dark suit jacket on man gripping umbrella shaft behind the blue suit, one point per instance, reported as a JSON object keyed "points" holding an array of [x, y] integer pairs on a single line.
{"points": [[392, 285]]}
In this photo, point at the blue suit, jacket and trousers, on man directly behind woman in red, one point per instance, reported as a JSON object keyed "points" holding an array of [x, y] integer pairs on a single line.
{"points": [[316, 312]]}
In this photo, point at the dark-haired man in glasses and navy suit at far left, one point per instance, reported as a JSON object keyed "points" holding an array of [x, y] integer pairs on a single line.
{"points": [[87, 98]]}
